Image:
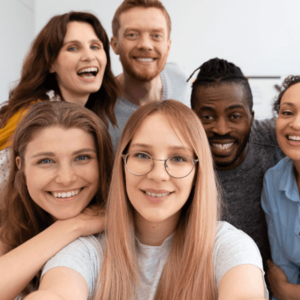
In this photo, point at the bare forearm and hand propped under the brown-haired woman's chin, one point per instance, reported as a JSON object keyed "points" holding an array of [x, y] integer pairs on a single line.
{"points": [[19, 266]]}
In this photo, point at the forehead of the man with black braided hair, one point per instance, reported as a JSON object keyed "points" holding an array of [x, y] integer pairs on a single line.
{"points": [[220, 96]]}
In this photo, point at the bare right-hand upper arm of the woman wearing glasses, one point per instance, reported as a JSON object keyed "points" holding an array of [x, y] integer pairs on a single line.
{"points": [[243, 282]]}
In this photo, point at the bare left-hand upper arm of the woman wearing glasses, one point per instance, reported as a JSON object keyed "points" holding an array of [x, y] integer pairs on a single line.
{"points": [[61, 284]]}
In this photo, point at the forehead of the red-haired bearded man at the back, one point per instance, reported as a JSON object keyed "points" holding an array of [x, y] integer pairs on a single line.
{"points": [[140, 18]]}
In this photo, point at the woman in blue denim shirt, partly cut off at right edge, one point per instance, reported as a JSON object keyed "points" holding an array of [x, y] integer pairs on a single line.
{"points": [[280, 196]]}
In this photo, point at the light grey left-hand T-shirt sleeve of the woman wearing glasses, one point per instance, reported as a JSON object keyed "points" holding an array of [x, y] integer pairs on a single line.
{"points": [[82, 255]]}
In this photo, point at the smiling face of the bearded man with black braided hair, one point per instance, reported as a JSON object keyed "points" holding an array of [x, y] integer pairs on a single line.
{"points": [[227, 120]]}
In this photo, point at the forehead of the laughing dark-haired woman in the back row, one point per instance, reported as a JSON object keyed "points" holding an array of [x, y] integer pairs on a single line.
{"points": [[79, 30]]}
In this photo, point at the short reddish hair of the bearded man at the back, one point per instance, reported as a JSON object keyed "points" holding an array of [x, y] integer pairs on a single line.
{"points": [[129, 4]]}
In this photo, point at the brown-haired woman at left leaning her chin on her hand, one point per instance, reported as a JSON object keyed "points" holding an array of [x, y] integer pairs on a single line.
{"points": [[63, 161]]}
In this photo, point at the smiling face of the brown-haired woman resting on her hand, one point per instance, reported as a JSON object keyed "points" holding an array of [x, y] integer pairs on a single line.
{"points": [[61, 170]]}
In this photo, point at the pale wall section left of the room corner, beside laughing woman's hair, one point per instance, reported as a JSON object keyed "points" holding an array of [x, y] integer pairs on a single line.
{"points": [[16, 34]]}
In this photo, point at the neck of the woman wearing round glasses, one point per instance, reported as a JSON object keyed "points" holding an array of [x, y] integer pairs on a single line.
{"points": [[154, 233]]}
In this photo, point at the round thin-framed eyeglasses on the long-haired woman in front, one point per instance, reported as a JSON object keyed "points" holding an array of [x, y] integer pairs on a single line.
{"points": [[141, 163]]}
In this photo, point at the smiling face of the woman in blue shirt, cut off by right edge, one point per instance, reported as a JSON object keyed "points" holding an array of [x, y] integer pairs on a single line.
{"points": [[288, 124]]}
